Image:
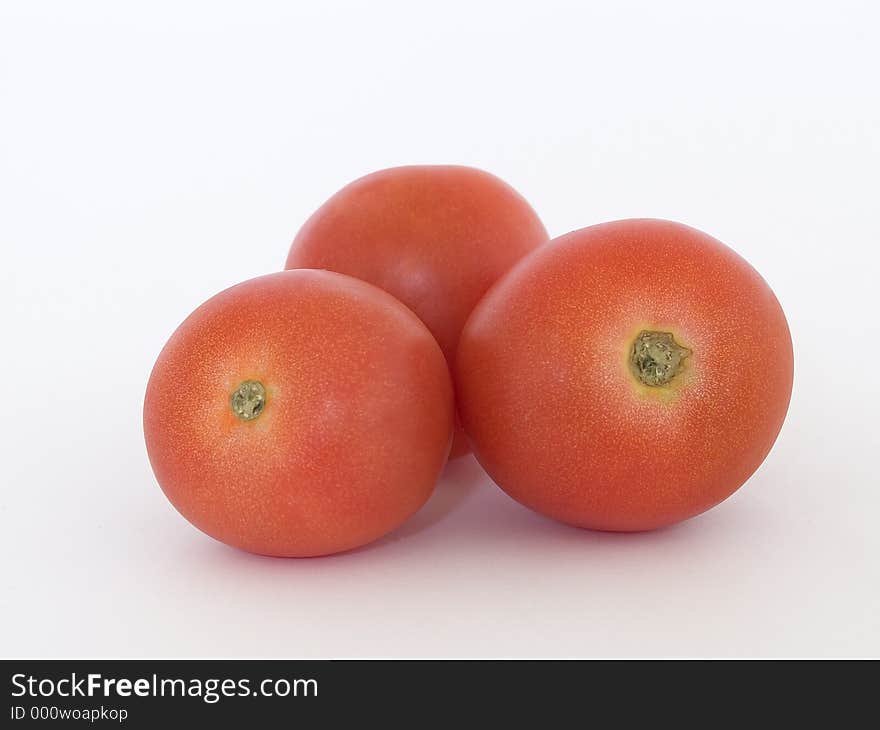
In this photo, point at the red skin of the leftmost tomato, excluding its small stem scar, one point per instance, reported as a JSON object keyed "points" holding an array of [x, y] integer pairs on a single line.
{"points": [[355, 430]]}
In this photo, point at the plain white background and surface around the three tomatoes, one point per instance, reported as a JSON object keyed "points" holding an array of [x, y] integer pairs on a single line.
{"points": [[153, 154]]}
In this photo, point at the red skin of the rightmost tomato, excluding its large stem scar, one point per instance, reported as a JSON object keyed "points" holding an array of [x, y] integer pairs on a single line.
{"points": [[554, 410]]}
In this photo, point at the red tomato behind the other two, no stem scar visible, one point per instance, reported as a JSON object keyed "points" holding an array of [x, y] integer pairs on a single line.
{"points": [[435, 236]]}
